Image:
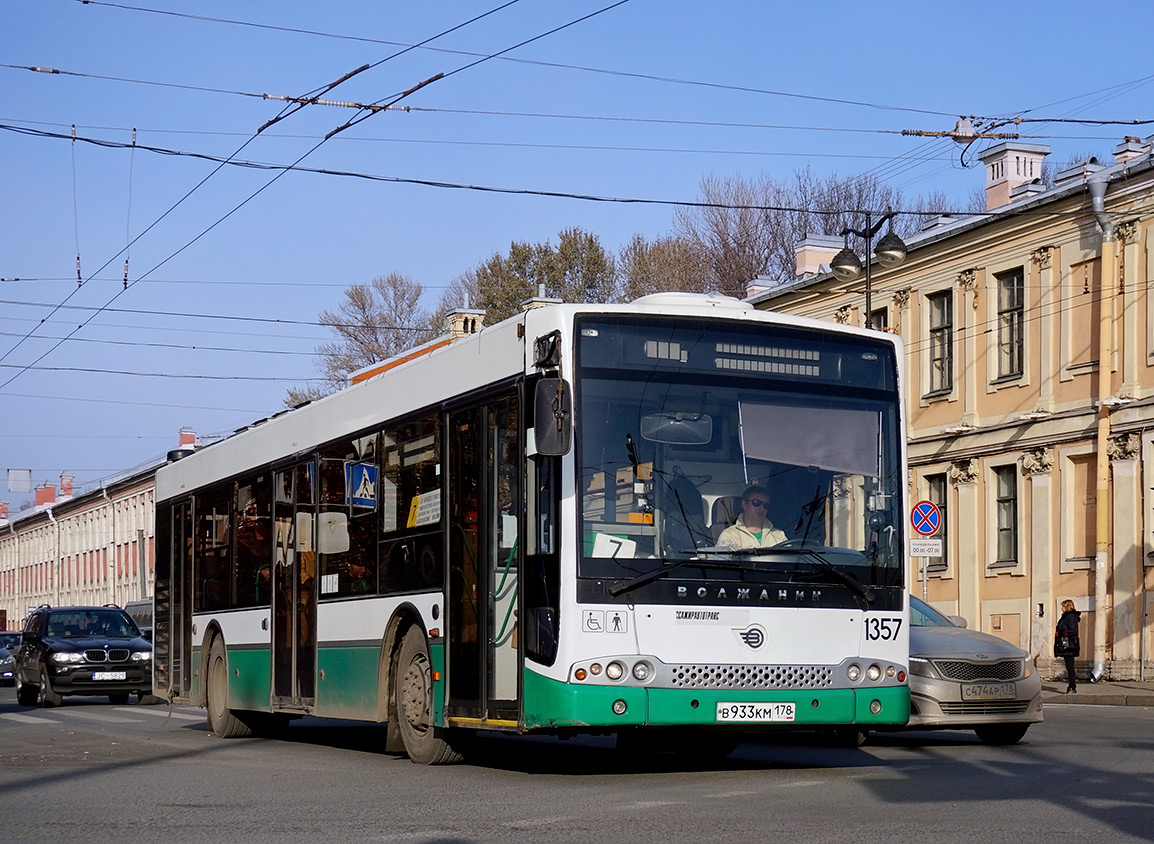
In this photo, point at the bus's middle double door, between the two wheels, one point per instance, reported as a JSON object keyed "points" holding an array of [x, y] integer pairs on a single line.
{"points": [[295, 589]]}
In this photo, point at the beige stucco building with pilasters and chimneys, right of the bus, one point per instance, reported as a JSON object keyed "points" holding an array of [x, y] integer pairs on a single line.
{"points": [[1041, 459]]}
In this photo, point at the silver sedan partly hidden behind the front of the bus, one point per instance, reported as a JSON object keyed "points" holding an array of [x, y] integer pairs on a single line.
{"points": [[962, 679]]}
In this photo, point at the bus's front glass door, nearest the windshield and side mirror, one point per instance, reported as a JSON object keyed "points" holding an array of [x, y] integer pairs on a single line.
{"points": [[485, 513]]}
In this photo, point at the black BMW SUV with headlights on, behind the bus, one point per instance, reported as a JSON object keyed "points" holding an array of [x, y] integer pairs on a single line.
{"points": [[83, 651]]}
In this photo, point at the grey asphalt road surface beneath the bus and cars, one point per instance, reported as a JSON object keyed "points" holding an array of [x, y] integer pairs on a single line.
{"points": [[92, 772]]}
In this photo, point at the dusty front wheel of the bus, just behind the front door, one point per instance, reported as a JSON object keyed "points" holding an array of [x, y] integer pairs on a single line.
{"points": [[424, 743]]}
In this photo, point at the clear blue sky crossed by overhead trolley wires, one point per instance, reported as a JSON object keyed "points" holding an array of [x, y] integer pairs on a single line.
{"points": [[640, 102]]}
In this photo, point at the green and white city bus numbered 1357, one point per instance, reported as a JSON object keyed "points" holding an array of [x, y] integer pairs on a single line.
{"points": [[520, 532]]}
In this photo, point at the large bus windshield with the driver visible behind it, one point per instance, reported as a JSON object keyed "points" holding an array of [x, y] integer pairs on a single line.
{"points": [[741, 447]]}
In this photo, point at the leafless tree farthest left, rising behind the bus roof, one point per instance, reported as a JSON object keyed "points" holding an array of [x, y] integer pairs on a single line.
{"points": [[374, 323]]}
